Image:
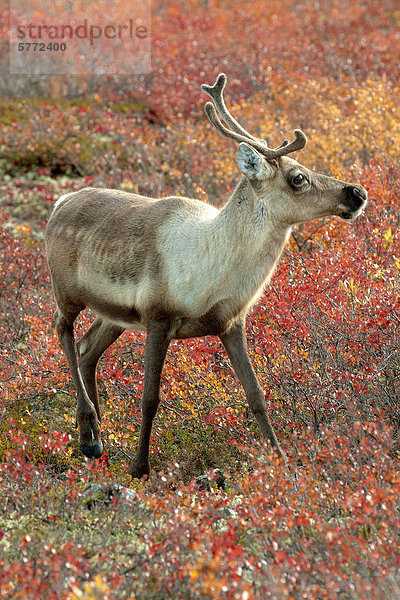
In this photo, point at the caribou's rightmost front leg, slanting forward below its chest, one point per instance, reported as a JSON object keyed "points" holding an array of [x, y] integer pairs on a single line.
{"points": [[235, 344]]}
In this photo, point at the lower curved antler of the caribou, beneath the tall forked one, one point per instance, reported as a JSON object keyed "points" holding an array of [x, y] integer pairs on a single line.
{"points": [[285, 148]]}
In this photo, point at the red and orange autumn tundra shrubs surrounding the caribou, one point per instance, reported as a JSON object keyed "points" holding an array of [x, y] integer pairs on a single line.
{"points": [[221, 515]]}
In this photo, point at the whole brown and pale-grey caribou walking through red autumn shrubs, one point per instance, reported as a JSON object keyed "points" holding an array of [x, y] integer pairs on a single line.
{"points": [[176, 267]]}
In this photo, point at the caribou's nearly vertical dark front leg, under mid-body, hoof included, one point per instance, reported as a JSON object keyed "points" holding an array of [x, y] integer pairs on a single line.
{"points": [[156, 348]]}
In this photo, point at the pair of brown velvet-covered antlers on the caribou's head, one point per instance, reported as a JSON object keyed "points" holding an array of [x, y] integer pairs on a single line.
{"points": [[237, 133]]}
